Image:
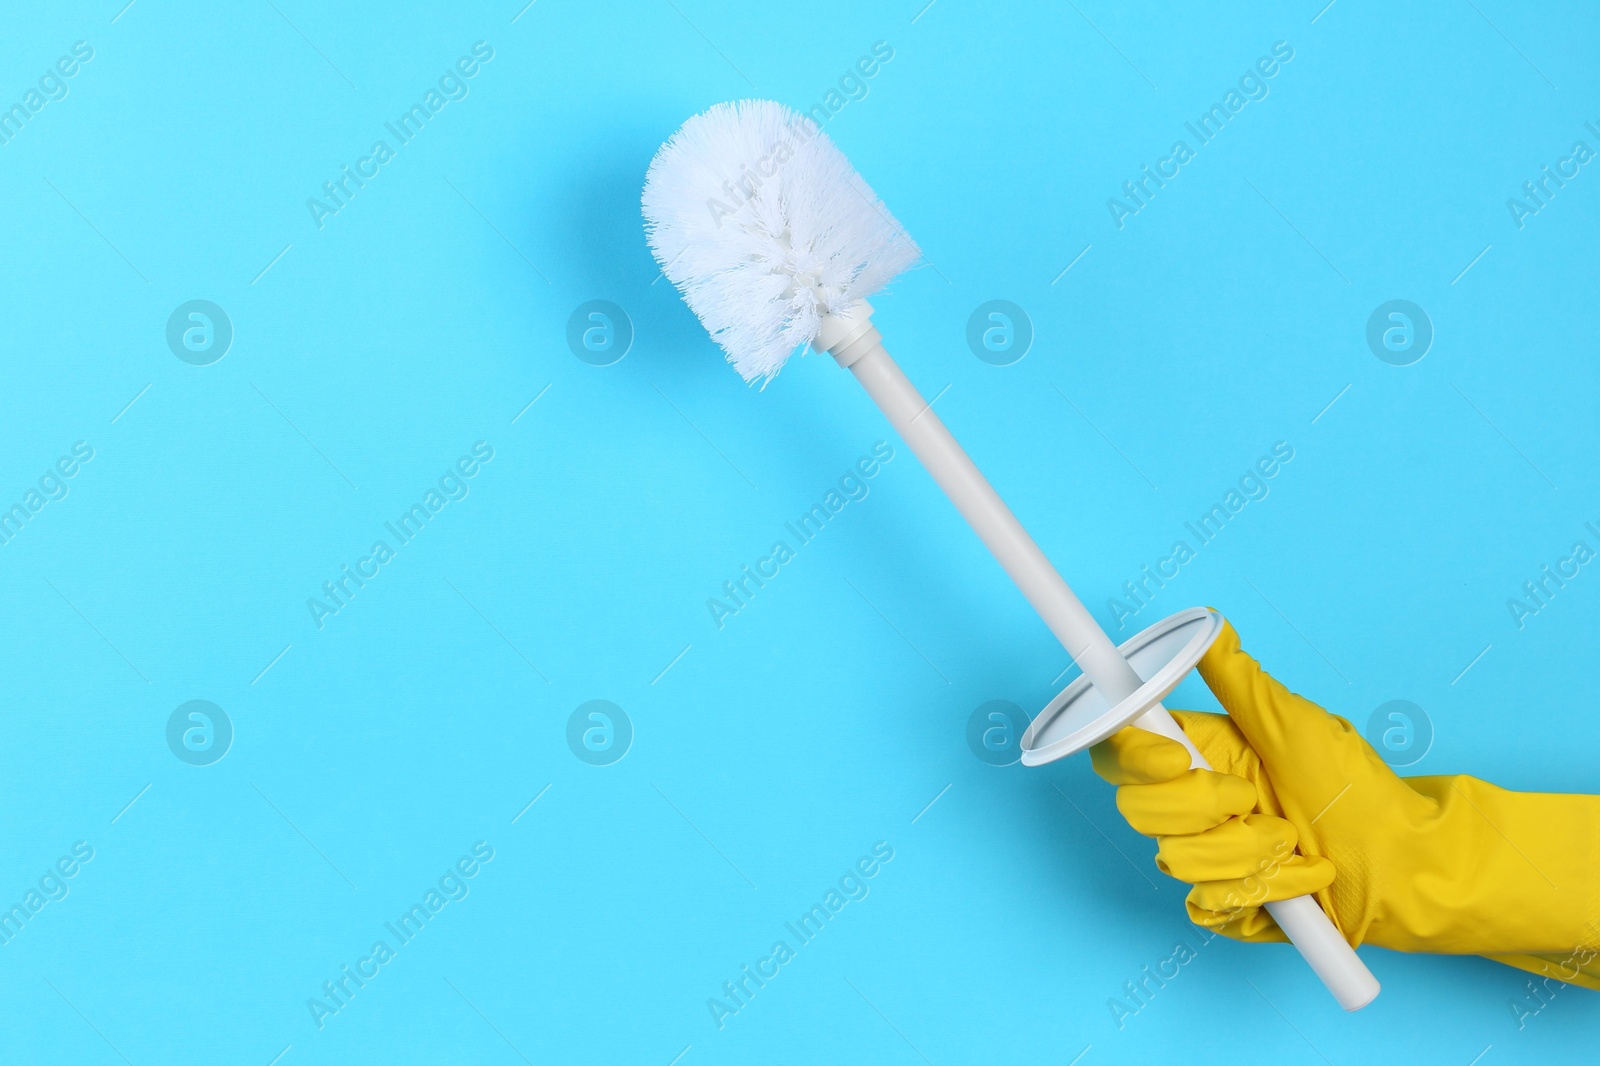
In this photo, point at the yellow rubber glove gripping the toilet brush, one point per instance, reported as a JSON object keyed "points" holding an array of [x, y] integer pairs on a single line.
{"points": [[1447, 865]]}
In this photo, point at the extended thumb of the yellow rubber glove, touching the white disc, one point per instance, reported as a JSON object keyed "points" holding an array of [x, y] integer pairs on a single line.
{"points": [[1311, 756]]}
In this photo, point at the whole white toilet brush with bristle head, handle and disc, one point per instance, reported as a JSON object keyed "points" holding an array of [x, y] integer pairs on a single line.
{"points": [[777, 242]]}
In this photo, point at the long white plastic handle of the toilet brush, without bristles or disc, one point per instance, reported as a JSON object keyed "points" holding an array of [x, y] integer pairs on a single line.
{"points": [[858, 347]]}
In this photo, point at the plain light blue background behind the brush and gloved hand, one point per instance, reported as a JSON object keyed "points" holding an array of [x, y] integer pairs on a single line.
{"points": [[428, 315]]}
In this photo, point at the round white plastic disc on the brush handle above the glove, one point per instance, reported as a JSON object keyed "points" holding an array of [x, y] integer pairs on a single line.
{"points": [[1079, 716]]}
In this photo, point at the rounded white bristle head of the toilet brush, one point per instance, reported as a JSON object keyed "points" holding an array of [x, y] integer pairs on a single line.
{"points": [[766, 228]]}
